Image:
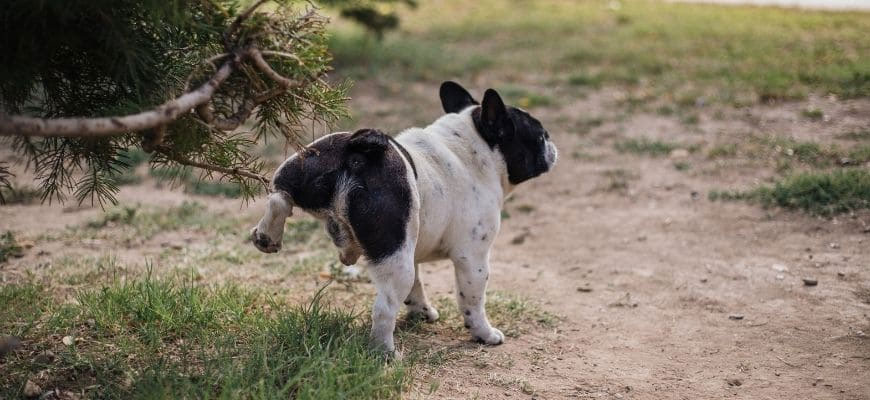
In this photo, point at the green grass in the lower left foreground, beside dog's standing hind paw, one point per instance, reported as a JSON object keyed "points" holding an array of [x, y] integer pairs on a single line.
{"points": [[148, 338]]}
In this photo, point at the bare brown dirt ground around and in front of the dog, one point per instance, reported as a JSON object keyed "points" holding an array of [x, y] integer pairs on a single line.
{"points": [[661, 293]]}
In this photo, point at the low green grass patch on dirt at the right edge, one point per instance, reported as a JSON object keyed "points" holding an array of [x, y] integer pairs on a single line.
{"points": [[818, 193]]}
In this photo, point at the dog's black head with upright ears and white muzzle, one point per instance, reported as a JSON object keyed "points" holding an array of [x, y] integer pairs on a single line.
{"points": [[521, 139]]}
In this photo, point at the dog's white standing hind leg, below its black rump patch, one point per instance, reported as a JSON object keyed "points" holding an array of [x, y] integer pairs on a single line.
{"points": [[393, 279]]}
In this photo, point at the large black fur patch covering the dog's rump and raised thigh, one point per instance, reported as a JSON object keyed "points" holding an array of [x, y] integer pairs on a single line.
{"points": [[378, 206]]}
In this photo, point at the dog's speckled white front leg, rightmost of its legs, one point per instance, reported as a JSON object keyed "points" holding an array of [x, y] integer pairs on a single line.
{"points": [[472, 274]]}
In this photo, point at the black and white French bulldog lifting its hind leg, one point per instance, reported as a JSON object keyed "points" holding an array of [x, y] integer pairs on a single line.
{"points": [[426, 195]]}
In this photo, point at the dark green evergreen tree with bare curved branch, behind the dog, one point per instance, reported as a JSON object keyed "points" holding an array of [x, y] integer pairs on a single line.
{"points": [[83, 81]]}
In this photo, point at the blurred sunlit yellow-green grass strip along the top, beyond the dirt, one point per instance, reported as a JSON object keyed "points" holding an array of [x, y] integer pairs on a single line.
{"points": [[736, 55]]}
